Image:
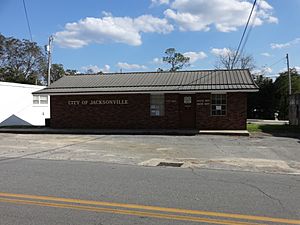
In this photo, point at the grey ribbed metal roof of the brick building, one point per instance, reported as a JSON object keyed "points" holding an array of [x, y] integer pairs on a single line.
{"points": [[144, 82]]}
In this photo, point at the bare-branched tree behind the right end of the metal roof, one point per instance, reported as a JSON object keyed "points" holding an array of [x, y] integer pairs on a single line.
{"points": [[227, 61]]}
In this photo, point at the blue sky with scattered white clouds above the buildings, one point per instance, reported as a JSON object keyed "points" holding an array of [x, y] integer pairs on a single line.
{"points": [[132, 35]]}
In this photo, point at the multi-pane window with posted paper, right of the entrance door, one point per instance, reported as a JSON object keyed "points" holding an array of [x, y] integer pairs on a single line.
{"points": [[218, 104]]}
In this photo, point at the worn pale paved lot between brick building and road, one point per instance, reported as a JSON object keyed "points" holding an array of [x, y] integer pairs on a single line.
{"points": [[260, 153]]}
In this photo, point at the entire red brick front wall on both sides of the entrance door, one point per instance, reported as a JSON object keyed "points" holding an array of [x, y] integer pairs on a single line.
{"points": [[136, 114]]}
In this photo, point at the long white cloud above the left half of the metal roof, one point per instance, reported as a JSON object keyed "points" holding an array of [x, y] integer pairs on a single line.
{"points": [[110, 29]]}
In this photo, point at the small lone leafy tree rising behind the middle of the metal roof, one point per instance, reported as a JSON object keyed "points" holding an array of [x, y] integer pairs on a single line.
{"points": [[175, 59]]}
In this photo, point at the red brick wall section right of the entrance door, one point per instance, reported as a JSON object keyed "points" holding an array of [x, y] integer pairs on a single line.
{"points": [[236, 116]]}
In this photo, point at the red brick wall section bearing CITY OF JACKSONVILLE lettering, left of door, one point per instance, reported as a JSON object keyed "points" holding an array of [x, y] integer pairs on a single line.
{"points": [[136, 114]]}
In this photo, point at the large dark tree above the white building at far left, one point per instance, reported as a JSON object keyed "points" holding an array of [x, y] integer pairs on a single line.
{"points": [[21, 61]]}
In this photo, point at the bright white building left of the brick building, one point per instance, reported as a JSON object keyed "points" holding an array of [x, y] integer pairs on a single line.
{"points": [[19, 107]]}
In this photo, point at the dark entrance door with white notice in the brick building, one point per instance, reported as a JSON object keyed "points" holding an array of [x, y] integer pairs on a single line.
{"points": [[187, 111]]}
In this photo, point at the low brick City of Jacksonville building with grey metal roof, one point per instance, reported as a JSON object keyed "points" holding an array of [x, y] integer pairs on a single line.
{"points": [[206, 99]]}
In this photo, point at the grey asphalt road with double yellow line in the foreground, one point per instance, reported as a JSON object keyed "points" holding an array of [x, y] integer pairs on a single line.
{"points": [[34, 191]]}
